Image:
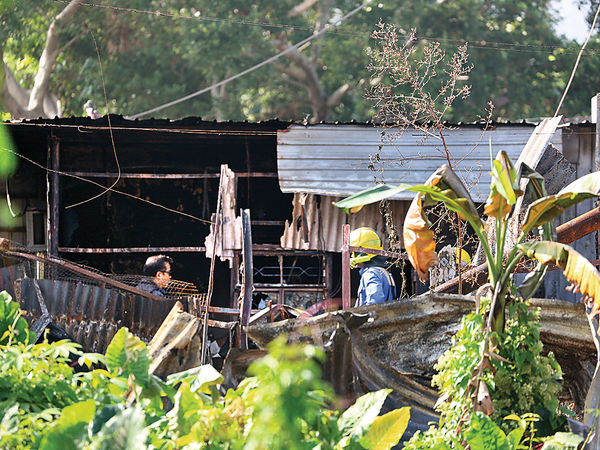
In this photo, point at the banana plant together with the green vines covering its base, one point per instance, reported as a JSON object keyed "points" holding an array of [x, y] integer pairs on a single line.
{"points": [[494, 367]]}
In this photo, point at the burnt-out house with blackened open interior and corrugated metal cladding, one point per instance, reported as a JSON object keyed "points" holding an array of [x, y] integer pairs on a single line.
{"points": [[164, 177]]}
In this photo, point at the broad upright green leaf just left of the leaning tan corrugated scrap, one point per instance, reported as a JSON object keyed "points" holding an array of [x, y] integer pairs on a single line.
{"points": [[127, 355]]}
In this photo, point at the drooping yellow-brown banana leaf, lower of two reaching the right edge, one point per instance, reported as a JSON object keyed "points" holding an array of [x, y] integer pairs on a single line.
{"points": [[577, 269]]}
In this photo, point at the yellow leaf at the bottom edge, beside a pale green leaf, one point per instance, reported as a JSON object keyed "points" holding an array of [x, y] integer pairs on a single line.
{"points": [[386, 430]]}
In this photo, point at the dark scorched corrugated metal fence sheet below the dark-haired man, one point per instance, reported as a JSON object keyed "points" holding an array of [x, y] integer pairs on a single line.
{"points": [[92, 314]]}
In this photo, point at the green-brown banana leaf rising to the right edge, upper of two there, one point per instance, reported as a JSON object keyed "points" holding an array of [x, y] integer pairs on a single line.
{"points": [[547, 208]]}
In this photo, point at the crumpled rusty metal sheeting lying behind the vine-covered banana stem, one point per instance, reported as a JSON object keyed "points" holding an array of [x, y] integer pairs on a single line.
{"points": [[399, 348]]}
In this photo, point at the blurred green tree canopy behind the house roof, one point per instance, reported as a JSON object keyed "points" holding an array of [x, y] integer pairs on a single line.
{"points": [[60, 53]]}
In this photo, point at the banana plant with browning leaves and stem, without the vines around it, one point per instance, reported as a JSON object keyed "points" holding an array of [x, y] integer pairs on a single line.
{"points": [[534, 240]]}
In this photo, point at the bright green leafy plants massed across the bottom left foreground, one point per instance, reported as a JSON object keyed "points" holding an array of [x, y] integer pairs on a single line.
{"points": [[46, 405]]}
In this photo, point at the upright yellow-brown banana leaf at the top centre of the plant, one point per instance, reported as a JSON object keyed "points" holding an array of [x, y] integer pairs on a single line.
{"points": [[504, 189]]}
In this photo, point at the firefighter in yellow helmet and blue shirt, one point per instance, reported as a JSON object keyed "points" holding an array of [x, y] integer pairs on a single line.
{"points": [[376, 283]]}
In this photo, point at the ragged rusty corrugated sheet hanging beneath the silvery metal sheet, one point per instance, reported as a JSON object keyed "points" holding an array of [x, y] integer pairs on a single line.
{"points": [[324, 222]]}
